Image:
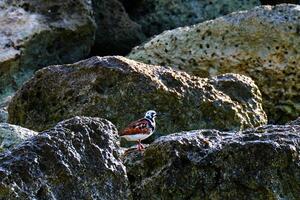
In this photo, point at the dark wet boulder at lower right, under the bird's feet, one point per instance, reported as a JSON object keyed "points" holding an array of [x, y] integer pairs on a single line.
{"points": [[261, 163]]}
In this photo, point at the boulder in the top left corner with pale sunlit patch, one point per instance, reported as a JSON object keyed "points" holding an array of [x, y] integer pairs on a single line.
{"points": [[36, 33]]}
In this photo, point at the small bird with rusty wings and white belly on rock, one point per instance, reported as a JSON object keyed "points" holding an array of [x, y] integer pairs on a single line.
{"points": [[140, 129]]}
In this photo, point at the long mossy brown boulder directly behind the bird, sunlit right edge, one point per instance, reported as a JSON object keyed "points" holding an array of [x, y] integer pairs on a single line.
{"points": [[122, 90]]}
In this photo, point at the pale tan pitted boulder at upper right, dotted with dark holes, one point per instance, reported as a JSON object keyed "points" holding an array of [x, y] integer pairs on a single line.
{"points": [[262, 43]]}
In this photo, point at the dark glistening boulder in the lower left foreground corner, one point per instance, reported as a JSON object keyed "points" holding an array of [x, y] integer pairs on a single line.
{"points": [[77, 159]]}
